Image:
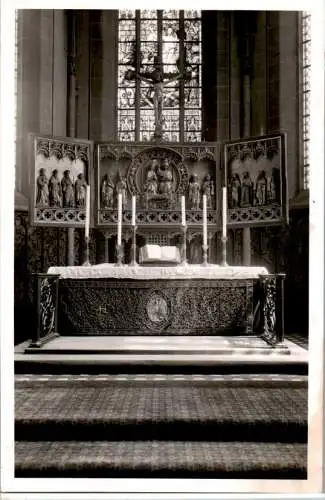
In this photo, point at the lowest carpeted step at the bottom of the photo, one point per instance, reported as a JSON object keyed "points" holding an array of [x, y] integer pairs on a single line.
{"points": [[161, 459]]}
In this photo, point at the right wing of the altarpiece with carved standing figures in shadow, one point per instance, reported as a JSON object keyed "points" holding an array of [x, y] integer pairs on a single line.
{"points": [[255, 173]]}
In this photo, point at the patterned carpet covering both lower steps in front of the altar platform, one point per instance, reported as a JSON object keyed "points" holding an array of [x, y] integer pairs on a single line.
{"points": [[218, 428]]}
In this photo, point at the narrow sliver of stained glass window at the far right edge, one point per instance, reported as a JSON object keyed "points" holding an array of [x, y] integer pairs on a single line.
{"points": [[305, 25]]}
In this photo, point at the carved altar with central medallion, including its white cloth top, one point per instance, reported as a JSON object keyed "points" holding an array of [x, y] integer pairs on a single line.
{"points": [[124, 300]]}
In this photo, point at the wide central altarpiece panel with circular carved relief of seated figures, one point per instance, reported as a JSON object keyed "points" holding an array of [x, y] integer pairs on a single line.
{"points": [[158, 176]]}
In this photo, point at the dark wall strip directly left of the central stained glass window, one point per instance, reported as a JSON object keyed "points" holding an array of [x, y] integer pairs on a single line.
{"points": [[96, 65]]}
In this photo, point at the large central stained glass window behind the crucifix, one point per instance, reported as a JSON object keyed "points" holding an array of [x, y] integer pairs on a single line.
{"points": [[159, 46]]}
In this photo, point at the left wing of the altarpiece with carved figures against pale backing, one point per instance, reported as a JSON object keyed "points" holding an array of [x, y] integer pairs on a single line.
{"points": [[61, 171]]}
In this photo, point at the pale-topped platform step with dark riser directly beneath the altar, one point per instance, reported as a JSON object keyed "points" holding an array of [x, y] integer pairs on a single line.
{"points": [[107, 354]]}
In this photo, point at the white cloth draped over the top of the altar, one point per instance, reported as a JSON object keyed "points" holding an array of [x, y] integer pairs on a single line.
{"points": [[190, 271]]}
